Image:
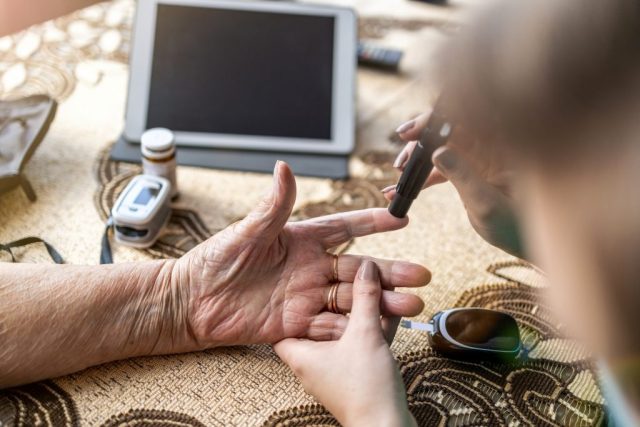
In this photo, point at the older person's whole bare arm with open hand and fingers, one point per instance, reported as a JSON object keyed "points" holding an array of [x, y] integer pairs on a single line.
{"points": [[258, 281]]}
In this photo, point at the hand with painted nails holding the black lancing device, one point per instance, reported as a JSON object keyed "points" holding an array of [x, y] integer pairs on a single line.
{"points": [[481, 176]]}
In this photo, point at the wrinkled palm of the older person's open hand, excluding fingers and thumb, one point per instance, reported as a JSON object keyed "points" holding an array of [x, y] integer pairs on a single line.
{"points": [[264, 290]]}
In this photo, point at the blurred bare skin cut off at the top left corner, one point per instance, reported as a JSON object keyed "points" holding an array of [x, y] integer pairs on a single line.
{"points": [[16, 15]]}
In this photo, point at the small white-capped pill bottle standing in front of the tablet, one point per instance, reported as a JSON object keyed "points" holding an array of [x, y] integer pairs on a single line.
{"points": [[159, 155]]}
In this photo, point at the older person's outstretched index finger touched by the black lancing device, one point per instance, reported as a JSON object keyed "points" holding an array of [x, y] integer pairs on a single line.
{"points": [[333, 230]]}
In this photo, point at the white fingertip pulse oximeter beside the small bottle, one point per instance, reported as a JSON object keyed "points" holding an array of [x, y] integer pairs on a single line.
{"points": [[141, 211]]}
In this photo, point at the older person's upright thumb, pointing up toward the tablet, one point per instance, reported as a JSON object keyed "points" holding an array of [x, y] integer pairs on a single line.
{"points": [[273, 212]]}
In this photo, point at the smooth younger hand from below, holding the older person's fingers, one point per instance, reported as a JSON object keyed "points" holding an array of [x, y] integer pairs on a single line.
{"points": [[355, 377]]}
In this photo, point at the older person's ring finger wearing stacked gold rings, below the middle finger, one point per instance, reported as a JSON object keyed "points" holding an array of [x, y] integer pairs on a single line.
{"points": [[391, 304]]}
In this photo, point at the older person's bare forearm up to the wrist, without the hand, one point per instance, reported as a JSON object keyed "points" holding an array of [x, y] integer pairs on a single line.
{"points": [[60, 319]]}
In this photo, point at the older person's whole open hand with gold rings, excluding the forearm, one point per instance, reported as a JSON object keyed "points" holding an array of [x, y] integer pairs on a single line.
{"points": [[262, 279]]}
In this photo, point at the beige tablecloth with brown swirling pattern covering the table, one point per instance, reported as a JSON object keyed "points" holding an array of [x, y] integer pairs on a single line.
{"points": [[81, 60]]}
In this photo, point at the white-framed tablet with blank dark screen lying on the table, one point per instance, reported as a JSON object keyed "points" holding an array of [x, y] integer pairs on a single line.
{"points": [[255, 75]]}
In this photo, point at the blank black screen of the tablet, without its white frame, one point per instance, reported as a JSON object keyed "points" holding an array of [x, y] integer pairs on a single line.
{"points": [[242, 72]]}
